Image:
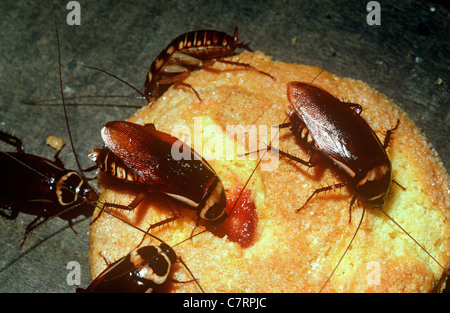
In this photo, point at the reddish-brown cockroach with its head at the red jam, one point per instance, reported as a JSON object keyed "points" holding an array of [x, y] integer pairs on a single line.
{"points": [[142, 156]]}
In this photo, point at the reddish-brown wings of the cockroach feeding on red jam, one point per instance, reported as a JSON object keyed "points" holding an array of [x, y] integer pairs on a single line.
{"points": [[148, 153]]}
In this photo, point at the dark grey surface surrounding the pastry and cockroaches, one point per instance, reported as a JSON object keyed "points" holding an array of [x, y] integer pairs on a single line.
{"points": [[406, 58]]}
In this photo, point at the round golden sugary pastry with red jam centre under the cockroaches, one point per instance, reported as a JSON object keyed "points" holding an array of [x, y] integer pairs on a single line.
{"points": [[266, 245]]}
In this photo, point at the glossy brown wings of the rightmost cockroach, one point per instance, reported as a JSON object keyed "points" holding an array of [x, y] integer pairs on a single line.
{"points": [[339, 132]]}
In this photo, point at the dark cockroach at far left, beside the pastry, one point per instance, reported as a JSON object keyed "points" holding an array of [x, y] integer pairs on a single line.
{"points": [[46, 195]]}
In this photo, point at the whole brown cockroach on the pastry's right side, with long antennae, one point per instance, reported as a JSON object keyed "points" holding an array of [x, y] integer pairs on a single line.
{"points": [[335, 131]]}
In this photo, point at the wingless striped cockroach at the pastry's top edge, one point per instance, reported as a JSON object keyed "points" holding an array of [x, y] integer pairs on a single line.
{"points": [[190, 51]]}
